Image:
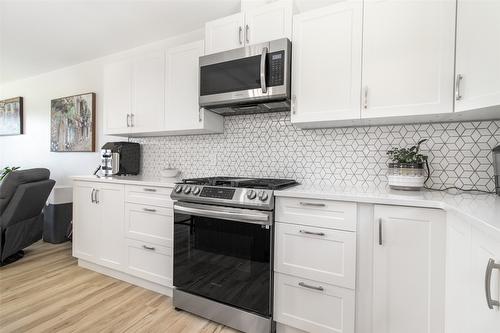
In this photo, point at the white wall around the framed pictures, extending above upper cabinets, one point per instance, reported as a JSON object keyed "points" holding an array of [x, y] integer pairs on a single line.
{"points": [[33, 148]]}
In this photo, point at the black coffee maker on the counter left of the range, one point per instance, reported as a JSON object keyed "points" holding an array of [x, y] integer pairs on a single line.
{"points": [[120, 158]]}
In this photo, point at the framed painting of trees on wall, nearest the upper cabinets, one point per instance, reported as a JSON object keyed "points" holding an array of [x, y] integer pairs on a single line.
{"points": [[72, 123]]}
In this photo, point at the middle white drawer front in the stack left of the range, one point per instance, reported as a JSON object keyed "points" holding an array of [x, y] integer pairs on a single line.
{"points": [[149, 223]]}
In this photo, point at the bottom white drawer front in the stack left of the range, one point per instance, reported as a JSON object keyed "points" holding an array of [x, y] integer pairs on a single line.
{"points": [[150, 262]]}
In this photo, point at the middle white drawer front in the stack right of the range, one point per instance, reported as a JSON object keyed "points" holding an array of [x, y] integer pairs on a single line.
{"points": [[320, 254]]}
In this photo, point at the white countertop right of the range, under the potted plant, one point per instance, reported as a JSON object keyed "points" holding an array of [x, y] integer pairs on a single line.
{"points": [[482, 208]]}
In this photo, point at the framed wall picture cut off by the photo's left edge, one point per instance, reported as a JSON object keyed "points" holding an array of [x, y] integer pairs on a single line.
{"points": [[11, 116]]}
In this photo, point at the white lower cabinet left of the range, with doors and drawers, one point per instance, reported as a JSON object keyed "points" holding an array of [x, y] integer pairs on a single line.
{"points": [[126, 228]]}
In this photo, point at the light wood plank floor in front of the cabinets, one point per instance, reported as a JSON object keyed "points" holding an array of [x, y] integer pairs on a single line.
{"points": [[47, 292]]}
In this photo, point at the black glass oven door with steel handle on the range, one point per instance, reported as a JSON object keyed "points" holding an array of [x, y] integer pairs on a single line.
{"points": [[224, 254]]}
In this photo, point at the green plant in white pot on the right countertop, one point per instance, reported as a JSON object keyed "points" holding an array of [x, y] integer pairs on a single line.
{"points": [[407, 168]]}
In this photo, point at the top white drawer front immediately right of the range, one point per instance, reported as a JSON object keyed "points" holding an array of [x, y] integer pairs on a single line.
{"points": [[317, 213]]}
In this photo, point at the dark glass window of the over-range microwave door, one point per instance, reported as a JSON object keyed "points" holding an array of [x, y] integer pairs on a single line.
{"points": [[229, 76]]}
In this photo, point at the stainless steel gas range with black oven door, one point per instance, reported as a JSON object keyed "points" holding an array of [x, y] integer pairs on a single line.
{"points": [[223, 249]]}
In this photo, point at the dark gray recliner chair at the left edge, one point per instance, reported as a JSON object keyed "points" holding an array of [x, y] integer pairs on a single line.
{"points": [[23, 194]]}
